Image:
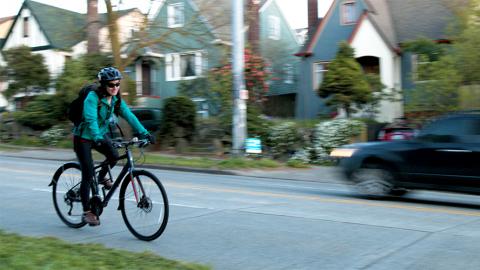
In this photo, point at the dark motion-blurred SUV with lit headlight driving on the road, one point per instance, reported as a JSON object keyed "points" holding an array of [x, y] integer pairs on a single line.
{"points": [[444, 155]]}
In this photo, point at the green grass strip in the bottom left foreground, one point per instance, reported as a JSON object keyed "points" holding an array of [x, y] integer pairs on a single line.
{"points": [[19, 252]]}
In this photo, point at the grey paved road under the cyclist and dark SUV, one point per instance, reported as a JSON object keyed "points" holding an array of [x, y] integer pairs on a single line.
{"points": [[238, 222]]}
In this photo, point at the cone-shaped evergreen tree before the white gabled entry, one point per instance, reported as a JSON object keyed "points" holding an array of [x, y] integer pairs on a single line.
{"points": [[345, 85]]}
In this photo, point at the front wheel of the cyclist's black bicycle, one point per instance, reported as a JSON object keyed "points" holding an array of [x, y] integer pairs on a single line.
{"points": [[144, 205]]}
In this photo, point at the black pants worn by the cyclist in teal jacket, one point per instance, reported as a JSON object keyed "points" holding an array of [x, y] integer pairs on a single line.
{"points": [[83, 149]]}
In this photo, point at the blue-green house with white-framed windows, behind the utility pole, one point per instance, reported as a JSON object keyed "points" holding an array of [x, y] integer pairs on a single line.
{"points": [[203, 41]]}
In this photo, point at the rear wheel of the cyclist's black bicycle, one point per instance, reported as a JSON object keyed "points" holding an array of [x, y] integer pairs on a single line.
{"points": [[66, 194]]}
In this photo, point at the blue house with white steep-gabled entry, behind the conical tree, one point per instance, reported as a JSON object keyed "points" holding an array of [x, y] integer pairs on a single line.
{"points": [[376, 29]]}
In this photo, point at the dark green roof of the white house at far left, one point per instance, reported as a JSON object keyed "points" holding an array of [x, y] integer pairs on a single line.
{"points": [[63, 28]]}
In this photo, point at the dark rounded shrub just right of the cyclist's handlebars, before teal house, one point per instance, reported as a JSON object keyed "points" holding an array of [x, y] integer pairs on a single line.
{"points": [[178, 118]]}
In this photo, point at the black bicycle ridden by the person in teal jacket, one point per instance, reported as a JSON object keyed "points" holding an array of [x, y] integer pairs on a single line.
{"points": [[141, 195]]}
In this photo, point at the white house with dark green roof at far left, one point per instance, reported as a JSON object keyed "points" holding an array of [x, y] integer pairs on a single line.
{"points": [[59, 34]]}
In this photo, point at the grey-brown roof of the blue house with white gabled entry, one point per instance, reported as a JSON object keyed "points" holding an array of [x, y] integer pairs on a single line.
{"points": [[397, 21]]}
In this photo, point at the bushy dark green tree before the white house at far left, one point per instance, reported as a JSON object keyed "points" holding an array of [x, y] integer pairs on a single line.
{"points": [[26, 72]]}
